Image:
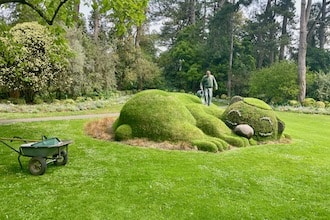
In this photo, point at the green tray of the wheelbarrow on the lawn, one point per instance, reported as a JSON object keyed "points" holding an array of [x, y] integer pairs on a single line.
{"points": [[44, 148]]}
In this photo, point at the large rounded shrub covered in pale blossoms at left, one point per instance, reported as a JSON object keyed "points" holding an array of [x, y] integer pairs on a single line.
{"points": [[32, 60]]}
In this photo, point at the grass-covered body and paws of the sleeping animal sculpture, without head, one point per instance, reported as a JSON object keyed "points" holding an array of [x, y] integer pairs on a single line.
{"points": [[159, 116]]}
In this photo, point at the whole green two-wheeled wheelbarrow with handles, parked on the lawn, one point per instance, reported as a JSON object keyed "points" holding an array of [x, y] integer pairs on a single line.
{"points": [[48, 150]]}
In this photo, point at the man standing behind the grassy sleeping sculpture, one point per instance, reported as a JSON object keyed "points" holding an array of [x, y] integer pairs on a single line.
{"points": [[207, 84]]}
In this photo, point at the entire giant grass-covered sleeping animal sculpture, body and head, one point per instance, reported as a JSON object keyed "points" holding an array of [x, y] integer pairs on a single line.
{"points": [[169, 116]]}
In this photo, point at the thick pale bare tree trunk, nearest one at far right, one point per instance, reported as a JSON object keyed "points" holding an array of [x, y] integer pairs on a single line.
{"points": [[304, 16]]}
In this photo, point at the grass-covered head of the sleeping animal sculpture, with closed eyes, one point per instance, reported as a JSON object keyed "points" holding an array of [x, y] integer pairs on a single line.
{"points": [[255, 113]]}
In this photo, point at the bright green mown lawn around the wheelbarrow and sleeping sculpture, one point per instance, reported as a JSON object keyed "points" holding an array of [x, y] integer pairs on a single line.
{"points": [[105, 180]]}
